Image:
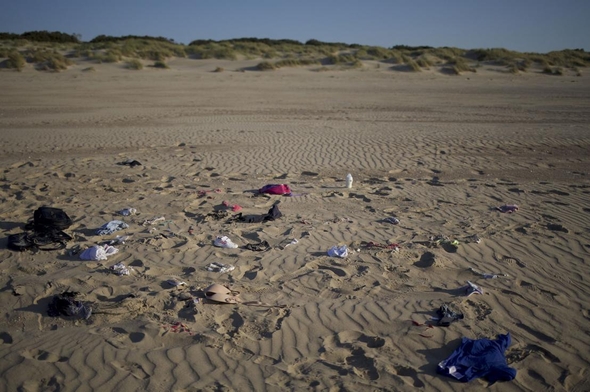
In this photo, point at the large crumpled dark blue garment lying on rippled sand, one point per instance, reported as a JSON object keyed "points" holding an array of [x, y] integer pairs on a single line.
{"points": [[479, 358]]}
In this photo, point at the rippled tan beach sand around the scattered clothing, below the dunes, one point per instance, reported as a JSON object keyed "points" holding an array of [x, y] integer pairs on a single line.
{"points": [[438, 152]]}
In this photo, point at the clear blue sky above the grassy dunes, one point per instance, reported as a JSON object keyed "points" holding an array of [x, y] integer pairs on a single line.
{"points": [[522, 25]]}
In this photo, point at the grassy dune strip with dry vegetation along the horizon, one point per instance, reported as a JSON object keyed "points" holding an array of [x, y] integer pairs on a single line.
{"points": [[55, 51]]}
